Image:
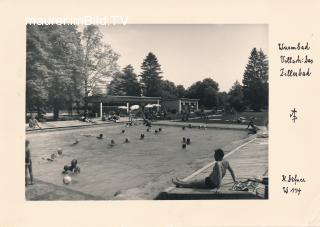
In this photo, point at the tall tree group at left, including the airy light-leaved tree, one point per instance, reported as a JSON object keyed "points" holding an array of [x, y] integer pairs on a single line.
{"points": [[64, 66]]}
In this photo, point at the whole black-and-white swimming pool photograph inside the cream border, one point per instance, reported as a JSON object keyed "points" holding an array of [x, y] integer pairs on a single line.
{"points": [[146, 112]]}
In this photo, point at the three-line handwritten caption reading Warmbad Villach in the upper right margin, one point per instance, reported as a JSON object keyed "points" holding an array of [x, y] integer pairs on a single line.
{"points": [[295, 60]]}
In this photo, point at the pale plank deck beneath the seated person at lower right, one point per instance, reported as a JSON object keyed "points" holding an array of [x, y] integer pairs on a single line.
{"points": [[248, 160]]}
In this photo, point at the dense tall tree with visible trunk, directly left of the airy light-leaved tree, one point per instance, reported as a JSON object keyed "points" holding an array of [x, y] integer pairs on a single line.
{"points": [[64, 63]]}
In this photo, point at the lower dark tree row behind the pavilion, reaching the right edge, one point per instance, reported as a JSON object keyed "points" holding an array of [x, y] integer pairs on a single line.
{"points": [[253, 93]]}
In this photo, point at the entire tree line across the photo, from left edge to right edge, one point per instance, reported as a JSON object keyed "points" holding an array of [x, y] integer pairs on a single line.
{"points": [[64, 66]]}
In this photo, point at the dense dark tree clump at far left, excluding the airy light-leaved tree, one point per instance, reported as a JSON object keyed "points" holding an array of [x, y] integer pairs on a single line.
{"points": [[53, 63]]}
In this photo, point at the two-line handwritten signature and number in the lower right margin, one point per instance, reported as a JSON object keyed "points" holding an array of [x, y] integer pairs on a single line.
{"points": [[295, 184]]}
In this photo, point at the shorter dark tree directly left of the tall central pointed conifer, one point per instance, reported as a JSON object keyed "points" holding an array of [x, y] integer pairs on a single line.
{"points": [[125, 83]]}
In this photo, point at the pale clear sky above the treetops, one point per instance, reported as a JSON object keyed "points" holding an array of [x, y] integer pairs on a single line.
{"points": [[189, 53]]}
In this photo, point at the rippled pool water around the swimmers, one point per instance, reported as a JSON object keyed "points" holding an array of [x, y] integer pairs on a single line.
{"points": [[144, 166]]}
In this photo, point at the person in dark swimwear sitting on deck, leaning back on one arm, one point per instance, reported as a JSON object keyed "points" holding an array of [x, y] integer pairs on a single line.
{"points": [[213, 181]]}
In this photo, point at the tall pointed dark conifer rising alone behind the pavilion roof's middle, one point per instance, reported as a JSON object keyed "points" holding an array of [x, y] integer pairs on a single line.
{"points": [[150, 76]]}
